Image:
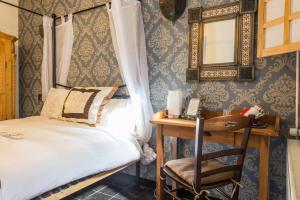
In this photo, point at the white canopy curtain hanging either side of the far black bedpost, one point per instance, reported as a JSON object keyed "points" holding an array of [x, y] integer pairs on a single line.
{"points": [[64, 44]]}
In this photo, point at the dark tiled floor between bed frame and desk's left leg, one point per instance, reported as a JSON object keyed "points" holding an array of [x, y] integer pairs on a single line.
{"points": [[117, 187]]}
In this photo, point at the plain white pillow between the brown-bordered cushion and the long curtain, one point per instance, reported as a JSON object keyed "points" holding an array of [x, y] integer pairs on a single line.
{"points": [[118, 116]]}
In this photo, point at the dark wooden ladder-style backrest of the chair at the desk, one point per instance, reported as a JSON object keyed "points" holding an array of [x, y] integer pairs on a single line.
{"points": [[229, 123]]}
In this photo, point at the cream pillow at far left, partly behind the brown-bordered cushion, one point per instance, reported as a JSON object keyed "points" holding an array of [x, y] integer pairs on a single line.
{"points": [[54, 103]]}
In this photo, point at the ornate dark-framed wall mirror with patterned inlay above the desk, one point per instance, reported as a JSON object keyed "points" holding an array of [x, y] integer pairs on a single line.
{"points": [[221, 42]]}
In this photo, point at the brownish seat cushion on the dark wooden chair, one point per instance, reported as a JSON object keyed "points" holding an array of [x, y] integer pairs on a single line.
{"points": [[184, 169]]}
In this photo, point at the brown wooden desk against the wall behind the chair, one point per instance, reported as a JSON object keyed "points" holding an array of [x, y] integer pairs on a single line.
{"points": [[185, 129]]}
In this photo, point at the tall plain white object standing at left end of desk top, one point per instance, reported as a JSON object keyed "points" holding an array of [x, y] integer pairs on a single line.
{"points": [[174, 103]]}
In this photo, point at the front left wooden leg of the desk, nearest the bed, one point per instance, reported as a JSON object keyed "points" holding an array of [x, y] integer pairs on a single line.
{"points": [[159, 160]]}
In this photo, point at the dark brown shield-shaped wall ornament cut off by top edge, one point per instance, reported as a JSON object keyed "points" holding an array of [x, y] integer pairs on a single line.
{"points": [[172, 9]]}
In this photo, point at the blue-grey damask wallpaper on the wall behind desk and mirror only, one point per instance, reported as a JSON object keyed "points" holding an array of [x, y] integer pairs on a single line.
{"points": [[273, 89]]}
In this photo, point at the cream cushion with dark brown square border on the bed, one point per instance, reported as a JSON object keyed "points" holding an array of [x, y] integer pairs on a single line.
{"points": [[86, 104]]}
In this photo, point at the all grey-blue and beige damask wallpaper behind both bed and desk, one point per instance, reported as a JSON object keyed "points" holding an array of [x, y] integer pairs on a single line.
{"points": [[94, 63]]}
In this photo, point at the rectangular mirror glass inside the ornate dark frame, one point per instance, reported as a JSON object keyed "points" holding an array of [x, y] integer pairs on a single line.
{"points": [[219, 42]]}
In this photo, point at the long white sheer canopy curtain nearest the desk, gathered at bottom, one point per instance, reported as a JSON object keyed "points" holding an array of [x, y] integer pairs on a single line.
{"points": [[127, 30]]}
